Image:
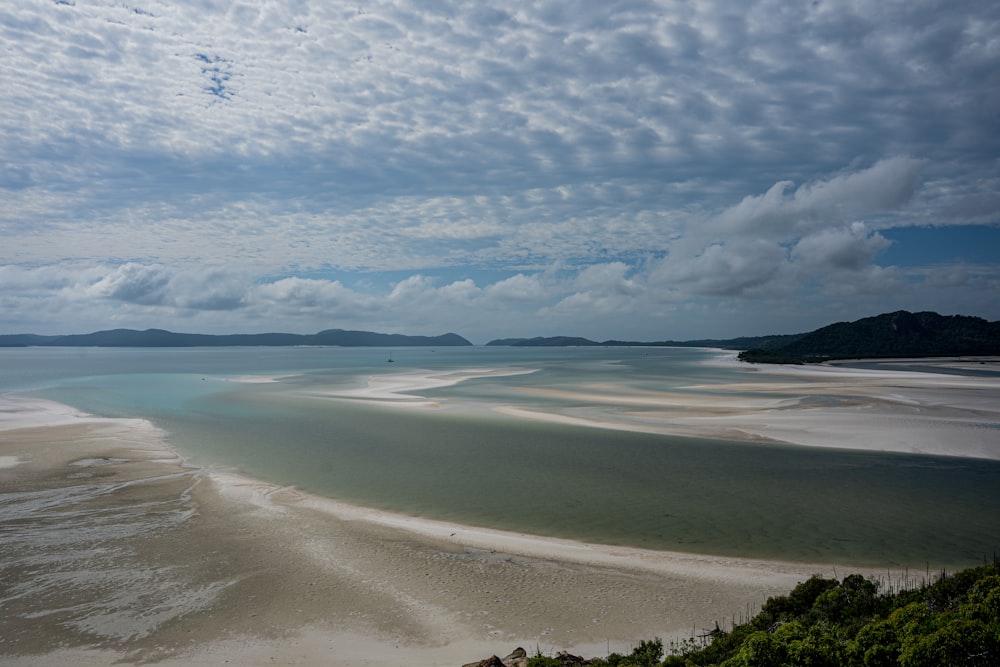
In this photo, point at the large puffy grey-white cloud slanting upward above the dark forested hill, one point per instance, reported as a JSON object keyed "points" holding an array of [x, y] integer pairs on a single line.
{"points": [[765, 242]]}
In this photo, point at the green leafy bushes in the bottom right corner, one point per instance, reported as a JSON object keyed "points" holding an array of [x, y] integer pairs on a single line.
{"points": [[830, 623]]}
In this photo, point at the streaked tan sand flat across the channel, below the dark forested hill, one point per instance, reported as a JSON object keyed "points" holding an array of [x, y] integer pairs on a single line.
{"points": [[818, 406]]}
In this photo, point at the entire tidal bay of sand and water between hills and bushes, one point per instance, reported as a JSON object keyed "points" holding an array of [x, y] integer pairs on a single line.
{"points": [[459, 505]]}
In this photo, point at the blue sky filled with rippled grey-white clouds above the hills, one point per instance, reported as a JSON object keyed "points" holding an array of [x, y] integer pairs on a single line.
{"points": [[634, 170]]}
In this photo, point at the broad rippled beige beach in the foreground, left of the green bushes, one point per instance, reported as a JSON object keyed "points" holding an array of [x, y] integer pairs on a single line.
{"points": [[114, 550]]}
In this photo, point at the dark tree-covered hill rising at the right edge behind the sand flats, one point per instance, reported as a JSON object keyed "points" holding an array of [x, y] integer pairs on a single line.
{"points": [[899, 334]]}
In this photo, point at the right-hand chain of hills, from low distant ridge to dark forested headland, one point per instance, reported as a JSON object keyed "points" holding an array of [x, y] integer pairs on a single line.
{"points": [[898, 334]]}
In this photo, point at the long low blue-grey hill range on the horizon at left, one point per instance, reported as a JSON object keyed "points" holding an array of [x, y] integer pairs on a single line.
{"points": [[161, 338]]}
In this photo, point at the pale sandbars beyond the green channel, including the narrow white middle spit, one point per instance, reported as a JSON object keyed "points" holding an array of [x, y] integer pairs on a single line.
{"points": [[821, 405]]}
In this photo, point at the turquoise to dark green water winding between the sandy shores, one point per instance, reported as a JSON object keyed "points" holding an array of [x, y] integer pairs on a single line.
{"points": [[463, 461]]}
